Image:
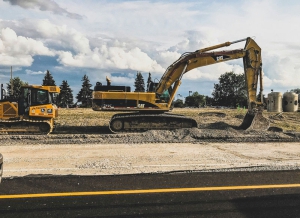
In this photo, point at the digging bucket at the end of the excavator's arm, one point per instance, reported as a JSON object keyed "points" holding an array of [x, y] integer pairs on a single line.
{"points": [[255, 121]]}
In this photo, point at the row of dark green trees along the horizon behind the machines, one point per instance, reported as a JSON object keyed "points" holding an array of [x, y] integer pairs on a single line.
{"points": [[230, 91]]}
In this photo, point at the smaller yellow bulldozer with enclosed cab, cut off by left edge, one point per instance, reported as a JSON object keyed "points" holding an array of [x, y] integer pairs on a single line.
{"points": [[33, 112]]}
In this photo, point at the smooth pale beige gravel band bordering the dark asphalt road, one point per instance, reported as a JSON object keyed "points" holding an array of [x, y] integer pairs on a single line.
{"points": [[108, 159]]}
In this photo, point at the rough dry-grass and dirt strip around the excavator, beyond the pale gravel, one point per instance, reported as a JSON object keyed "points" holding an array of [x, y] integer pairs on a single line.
{"points": [[86, 126]]}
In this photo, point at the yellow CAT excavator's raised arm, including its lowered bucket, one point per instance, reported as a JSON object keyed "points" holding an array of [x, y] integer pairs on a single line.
{"points": [[252, 61]]}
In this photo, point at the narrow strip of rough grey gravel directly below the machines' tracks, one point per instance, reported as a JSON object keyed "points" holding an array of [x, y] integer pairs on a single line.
{"points": [[193, 135]]}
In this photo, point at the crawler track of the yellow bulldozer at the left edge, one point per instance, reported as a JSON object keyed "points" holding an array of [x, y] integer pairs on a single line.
{"points": [[25, 126]]}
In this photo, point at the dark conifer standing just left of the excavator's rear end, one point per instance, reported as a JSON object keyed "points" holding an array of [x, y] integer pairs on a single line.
{"points": [[85, 94]]}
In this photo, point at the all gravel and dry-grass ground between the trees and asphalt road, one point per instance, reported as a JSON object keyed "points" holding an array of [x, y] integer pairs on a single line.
{"points": [[80, 146]]}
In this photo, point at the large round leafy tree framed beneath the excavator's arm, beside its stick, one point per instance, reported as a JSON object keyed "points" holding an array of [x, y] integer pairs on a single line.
{"points": [[231, 90]]}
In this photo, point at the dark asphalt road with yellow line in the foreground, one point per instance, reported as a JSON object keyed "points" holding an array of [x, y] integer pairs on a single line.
{"points": [[220, 194]]}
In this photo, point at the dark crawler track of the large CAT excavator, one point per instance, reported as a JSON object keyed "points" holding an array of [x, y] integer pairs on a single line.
{"points": [[137, 122]]}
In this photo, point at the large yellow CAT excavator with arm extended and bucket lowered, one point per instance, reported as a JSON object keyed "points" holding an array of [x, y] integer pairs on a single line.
{"points": [[150, 108]]}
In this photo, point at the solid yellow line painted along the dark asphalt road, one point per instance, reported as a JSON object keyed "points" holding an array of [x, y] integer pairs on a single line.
{"points": [[146, 191]]}
